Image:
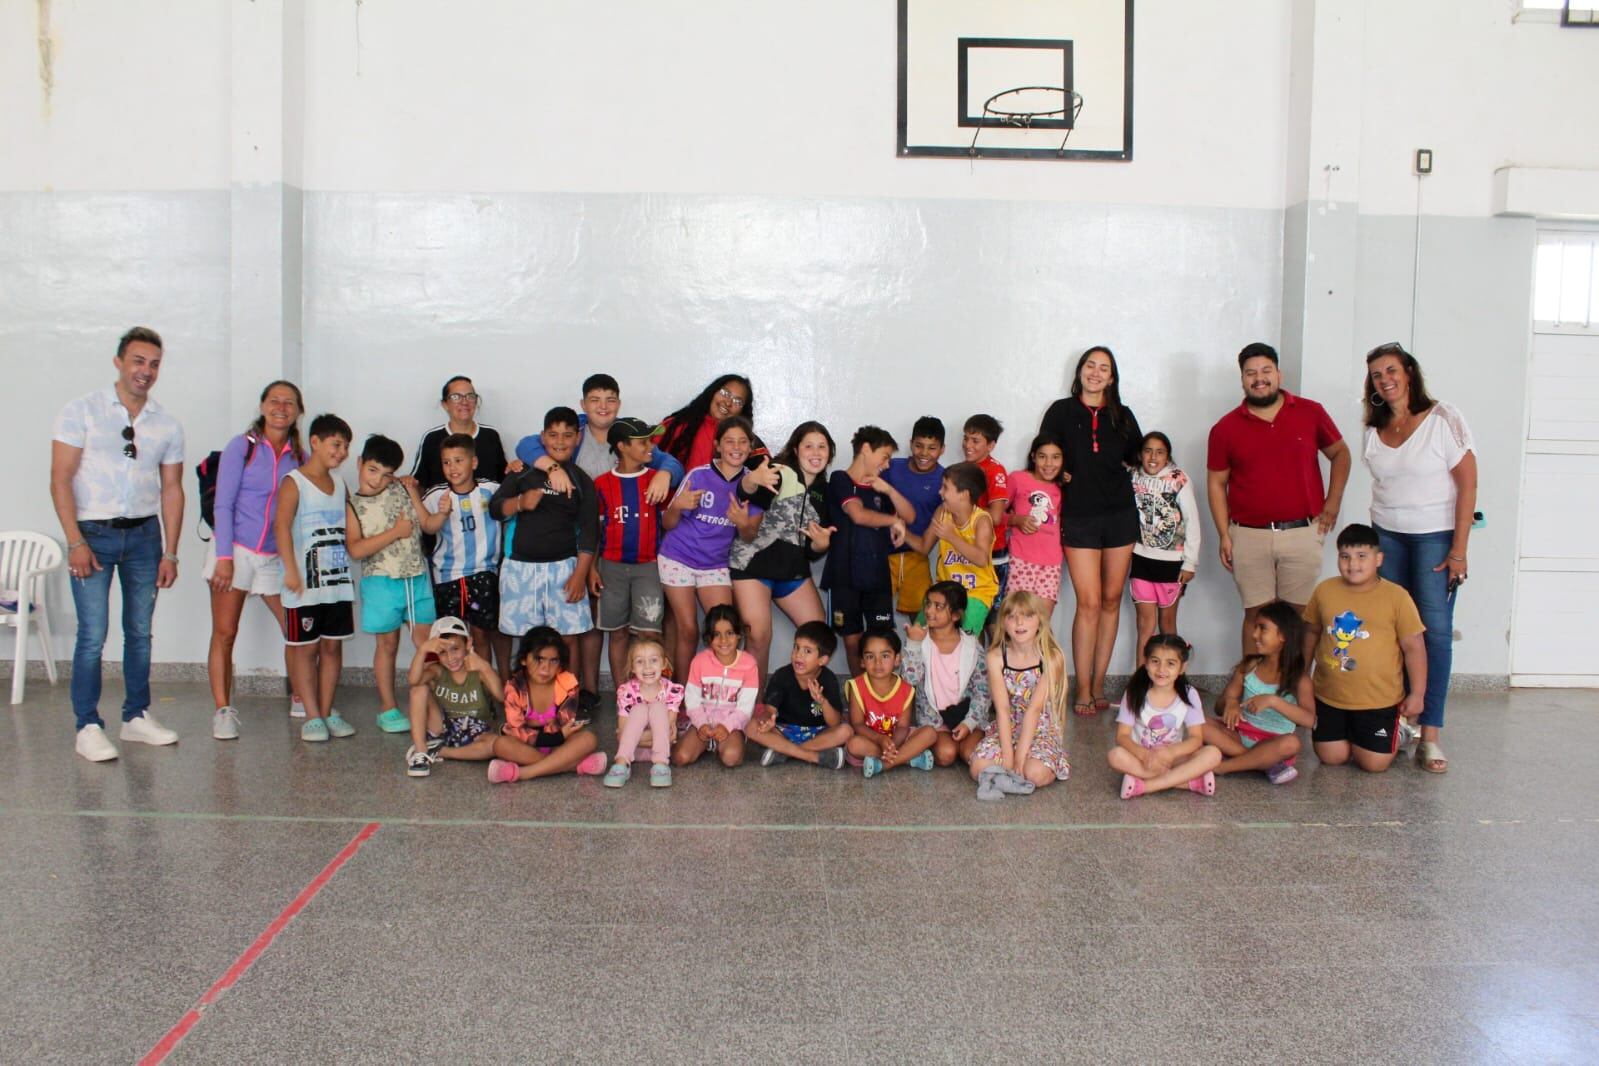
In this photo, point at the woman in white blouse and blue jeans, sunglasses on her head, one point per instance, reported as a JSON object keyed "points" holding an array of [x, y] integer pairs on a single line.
{"points": [[1424, 496]]}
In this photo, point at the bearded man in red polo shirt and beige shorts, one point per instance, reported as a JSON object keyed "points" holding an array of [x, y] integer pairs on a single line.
{"points": [[1266, 488]]}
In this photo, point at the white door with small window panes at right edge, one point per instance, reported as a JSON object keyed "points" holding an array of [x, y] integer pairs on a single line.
{"points": [[1558, 568]]}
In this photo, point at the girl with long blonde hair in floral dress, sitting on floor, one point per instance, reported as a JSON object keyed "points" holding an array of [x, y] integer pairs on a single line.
{"points": [[1026, 744]]}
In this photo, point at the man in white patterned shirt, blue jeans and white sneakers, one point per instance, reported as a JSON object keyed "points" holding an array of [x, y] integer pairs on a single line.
{"points": [[116, 479]]}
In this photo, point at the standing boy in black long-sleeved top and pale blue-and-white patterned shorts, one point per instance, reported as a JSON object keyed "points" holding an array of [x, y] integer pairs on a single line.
{"points": [[544, 581]]}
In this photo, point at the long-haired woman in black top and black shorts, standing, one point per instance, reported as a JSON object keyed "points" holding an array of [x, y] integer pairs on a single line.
{"points": [[1099, 522]]}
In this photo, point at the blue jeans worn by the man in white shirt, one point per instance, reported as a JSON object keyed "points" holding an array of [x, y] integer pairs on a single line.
{"points": [[135, 555]]}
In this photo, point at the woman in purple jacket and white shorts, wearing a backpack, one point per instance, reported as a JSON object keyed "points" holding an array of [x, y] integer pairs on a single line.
{"points": [[244, 559]]}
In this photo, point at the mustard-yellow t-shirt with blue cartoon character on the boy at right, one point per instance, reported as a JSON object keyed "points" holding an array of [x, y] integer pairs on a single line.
{"points": [[1360, 666]]}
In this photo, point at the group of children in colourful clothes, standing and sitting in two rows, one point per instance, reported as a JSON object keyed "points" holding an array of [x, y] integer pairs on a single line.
{"points": [[594, 535]]}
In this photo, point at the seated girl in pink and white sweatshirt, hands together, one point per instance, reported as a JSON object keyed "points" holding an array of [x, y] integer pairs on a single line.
{"points": [[722, 686]]}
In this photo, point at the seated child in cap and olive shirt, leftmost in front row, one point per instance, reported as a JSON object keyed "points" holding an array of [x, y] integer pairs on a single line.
{"points": [[452, 701]]}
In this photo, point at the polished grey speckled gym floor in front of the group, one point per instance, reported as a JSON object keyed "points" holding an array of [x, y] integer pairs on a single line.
{"points": [[789, 915]]}
